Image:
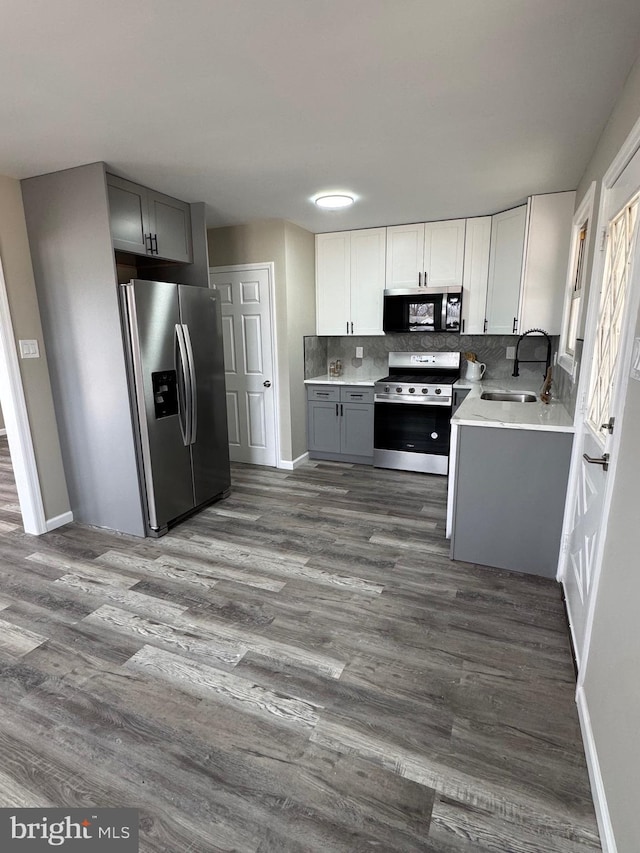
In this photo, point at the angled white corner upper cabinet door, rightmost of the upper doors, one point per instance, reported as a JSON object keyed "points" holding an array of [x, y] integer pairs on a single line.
{"points": [[505, 271]]}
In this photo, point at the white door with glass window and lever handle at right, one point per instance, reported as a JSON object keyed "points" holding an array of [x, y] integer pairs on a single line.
{"points": [[595, 440]]}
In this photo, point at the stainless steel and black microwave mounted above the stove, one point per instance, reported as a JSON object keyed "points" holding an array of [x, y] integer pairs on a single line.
{"points": [[417, 309]]}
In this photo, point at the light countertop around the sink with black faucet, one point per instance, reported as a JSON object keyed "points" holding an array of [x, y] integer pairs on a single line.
{"points": [[552, 416]]}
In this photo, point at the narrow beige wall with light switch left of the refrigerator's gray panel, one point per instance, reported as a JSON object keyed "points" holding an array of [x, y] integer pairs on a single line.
{"points": [[16, 261]]}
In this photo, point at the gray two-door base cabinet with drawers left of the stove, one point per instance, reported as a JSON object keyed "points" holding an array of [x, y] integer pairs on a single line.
{"points": [[340, 423]]}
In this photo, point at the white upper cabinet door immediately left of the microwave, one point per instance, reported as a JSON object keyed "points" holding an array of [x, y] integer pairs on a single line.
{"points": [[367, 280]]}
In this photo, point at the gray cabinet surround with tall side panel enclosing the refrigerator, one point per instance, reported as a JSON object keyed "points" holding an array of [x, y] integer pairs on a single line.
{"points": [[82, 250]]}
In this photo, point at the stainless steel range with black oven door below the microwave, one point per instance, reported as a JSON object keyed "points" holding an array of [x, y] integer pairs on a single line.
{"points": [[412, 409]]}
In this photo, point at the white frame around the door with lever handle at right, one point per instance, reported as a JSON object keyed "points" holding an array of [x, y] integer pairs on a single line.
{"points": [[618, 165]]}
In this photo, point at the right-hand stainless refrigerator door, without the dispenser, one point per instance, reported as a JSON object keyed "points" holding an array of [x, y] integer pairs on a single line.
{"points": [[202, 322]]}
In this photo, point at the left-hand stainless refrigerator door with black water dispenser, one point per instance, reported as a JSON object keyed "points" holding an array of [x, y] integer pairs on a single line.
{"points": [[159, 381]]}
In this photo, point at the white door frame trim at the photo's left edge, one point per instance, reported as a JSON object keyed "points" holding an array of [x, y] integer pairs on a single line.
{"points": [[16, 419]]}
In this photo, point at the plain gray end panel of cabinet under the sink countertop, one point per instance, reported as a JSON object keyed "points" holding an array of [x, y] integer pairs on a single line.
{"points": [[509, 498]]}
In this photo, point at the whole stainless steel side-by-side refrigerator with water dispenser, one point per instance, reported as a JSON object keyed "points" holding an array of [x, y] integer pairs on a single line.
{"points": [[176, 382]]}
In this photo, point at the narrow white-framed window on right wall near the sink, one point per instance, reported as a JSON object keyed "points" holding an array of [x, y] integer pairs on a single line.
{"points": [[575, 283]]}
